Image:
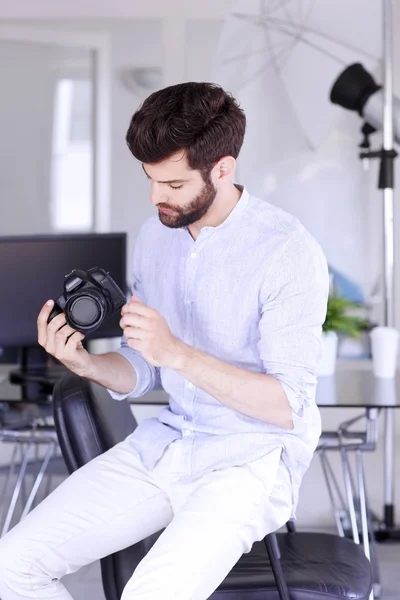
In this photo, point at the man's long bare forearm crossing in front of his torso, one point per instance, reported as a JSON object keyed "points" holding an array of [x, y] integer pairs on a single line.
{"points": [[257, 395]]}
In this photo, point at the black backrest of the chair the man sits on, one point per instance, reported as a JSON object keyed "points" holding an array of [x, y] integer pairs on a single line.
{"points": [[87, 420]]}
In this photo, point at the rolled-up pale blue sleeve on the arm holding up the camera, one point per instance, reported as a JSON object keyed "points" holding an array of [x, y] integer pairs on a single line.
{"points": [[147, 376]]}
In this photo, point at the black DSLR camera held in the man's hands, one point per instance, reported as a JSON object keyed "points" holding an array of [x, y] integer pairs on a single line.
{"points": [[89, 298]]}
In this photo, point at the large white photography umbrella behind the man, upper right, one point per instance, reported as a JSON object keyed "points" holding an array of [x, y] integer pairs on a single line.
{"points": [[280, 58]]}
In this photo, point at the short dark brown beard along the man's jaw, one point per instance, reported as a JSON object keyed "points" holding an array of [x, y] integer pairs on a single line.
{"points": [[192, 212]]}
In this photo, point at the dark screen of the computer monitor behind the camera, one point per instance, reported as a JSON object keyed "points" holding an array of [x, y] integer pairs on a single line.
{"points": [[32, 270]]}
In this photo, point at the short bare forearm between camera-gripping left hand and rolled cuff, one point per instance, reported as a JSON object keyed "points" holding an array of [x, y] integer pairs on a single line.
{"points": [[112, 371]]}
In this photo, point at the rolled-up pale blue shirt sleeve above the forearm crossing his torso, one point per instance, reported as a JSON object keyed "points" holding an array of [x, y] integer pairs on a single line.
{"points": [[293, 309]]}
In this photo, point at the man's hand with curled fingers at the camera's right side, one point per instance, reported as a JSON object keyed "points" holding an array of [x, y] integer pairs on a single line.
{"points": [[147, 332]]}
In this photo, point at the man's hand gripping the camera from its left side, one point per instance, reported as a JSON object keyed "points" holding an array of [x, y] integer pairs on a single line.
{"points": [[63, 342]]}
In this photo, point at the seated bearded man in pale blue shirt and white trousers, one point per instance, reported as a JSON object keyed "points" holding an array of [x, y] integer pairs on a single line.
{"points": [[229, 297]]}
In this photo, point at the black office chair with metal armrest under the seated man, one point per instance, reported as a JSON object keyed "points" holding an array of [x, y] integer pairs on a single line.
{"points": [[286, 566]]}
